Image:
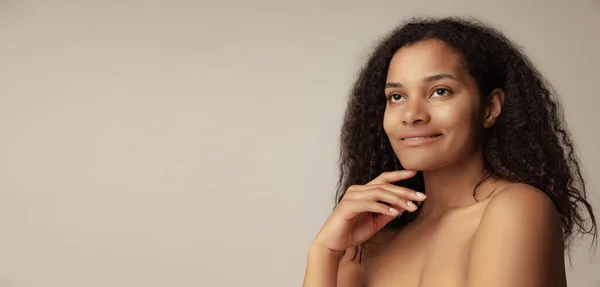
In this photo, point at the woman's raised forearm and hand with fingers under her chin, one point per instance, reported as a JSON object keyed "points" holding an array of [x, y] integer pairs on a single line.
{"points": [[363, 211]]}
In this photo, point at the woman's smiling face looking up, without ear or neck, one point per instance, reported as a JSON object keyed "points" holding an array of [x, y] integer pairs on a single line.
{"points": [[432, 116]]}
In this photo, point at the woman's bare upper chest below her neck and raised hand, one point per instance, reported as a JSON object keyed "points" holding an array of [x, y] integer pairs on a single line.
{"points": [[429, 254]]}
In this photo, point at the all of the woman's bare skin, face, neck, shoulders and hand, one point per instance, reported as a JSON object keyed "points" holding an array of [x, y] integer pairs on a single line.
{"points": [[510, 236]]}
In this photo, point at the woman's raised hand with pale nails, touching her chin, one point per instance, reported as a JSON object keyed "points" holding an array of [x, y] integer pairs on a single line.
{"points": [[366, 209]]}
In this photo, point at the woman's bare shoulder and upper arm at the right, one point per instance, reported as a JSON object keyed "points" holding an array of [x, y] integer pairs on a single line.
{"points": [[518, 243]]}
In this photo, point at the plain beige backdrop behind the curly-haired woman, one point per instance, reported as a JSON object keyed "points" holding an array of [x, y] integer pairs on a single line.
{"points": [[194, 143]]}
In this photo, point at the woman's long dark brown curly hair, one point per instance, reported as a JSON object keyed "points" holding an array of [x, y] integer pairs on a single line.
{"points": [[529, 142]]}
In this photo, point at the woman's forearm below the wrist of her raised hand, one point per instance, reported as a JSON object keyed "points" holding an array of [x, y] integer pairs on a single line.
{"points": [[322, 267]]}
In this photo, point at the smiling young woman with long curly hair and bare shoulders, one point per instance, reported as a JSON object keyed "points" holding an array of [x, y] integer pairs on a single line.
{"points": [[456, 168]]}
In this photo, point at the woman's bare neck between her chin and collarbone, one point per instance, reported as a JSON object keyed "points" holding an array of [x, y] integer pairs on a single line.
{"points": [[452, 186]]}
